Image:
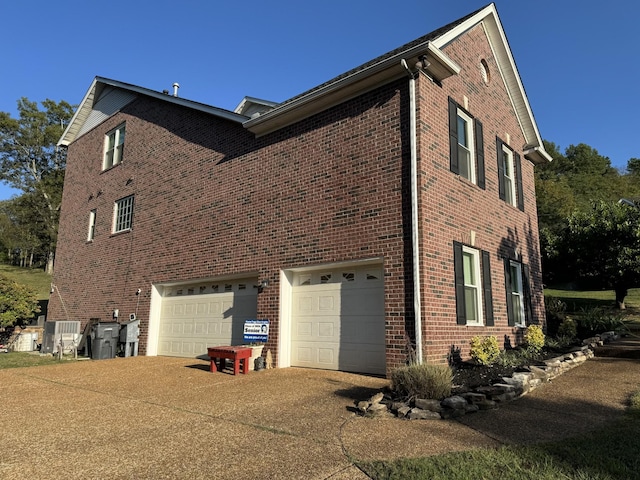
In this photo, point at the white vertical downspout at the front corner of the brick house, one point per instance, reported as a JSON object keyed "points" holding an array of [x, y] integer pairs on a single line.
{"points": [[414, 211]]}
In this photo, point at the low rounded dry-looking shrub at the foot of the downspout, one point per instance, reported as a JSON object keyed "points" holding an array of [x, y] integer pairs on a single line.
{"points": [[422, 381]]}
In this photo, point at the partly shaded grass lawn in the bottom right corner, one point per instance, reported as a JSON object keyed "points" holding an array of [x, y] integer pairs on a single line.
{"points": [[610, 453]]}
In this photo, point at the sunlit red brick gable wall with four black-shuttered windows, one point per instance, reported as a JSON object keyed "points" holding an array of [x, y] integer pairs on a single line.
{"points": [[452, 207]]}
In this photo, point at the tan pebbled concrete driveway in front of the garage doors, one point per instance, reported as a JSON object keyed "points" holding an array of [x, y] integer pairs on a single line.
{"points": [[159, 417]]}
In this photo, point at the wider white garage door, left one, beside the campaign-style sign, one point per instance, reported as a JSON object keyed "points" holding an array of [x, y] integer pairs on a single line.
{"points": [[194, 317]]}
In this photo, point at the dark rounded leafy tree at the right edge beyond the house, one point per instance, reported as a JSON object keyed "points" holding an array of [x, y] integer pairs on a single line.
{"points": [[602, 247]]}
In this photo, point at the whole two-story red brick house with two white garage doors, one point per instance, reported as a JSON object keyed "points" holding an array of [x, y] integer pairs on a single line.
{"points": [[391, 206]]}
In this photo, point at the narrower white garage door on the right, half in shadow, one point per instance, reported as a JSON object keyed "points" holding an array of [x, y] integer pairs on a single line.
{"points": [[338, 320]]}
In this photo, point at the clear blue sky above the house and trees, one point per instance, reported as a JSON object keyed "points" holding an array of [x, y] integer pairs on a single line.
{"points": [[578, 59]]}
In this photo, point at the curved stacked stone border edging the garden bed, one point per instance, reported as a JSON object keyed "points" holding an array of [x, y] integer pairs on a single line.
{"points": [[481, 398]]}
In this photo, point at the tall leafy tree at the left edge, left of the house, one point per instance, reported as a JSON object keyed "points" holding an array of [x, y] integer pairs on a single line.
{"points": [[31, 161]]}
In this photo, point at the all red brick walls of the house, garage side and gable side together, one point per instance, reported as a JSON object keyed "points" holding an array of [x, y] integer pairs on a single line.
{"points": [[212, 200]]}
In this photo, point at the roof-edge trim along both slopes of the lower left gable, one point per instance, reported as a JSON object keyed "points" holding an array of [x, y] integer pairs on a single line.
{"points": [[84, 110]]}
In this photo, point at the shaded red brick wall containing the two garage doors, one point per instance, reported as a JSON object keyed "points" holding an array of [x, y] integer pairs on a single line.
{"points": [[212, 200]]}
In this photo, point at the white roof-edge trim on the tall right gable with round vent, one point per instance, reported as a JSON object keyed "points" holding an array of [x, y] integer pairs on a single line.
{"points": [[490, 21]]}
